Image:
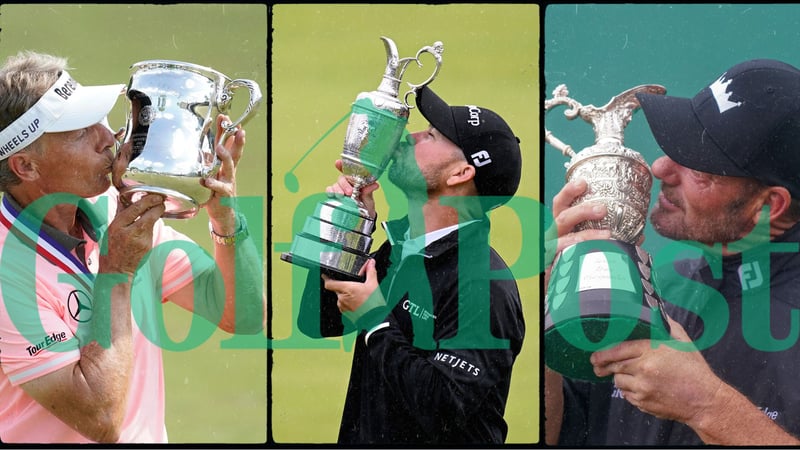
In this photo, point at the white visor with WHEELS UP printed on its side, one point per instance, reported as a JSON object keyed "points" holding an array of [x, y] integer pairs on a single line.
{"points": [[66, 106]]}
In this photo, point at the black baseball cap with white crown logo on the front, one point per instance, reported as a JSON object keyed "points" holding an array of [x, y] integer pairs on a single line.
{"points": [[746, 123]]}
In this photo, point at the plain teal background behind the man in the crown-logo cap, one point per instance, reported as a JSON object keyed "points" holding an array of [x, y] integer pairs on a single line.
{"points": [[599, 51]]}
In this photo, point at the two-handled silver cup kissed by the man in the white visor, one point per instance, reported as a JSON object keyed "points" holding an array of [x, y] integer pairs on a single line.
{"points": [[172, 128]]}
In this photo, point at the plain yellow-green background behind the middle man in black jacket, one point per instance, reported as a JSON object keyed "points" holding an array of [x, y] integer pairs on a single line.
{"points": [[323, 56]]}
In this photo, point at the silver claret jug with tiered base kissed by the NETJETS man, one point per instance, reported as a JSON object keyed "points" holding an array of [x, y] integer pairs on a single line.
{"points": [[337, 238]]}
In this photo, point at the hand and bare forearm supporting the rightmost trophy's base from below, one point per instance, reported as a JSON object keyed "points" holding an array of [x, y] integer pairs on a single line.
{"points": [[679, 385]]}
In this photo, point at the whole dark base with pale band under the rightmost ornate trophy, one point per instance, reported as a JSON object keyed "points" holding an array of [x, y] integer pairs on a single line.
{"points": [[603, 294]]}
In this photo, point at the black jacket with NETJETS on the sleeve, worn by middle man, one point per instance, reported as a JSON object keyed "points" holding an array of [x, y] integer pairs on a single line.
{"points": [[430, 371]]}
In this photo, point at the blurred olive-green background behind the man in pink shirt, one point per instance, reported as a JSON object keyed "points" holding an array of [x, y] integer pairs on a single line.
{"points": [[213, 395]]}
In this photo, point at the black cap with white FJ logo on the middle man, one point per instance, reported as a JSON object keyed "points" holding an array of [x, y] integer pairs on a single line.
{"points": [[486, 140]]}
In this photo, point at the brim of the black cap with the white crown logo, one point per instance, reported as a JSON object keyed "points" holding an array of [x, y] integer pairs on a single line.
{"points": [[680, 134]]}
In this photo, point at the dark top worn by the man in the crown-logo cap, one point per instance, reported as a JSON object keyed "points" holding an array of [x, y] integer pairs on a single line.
{"points": [[725, 311]]}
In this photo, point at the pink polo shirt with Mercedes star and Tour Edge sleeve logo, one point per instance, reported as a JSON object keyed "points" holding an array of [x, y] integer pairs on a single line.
{"points": [[44, 300]]}
